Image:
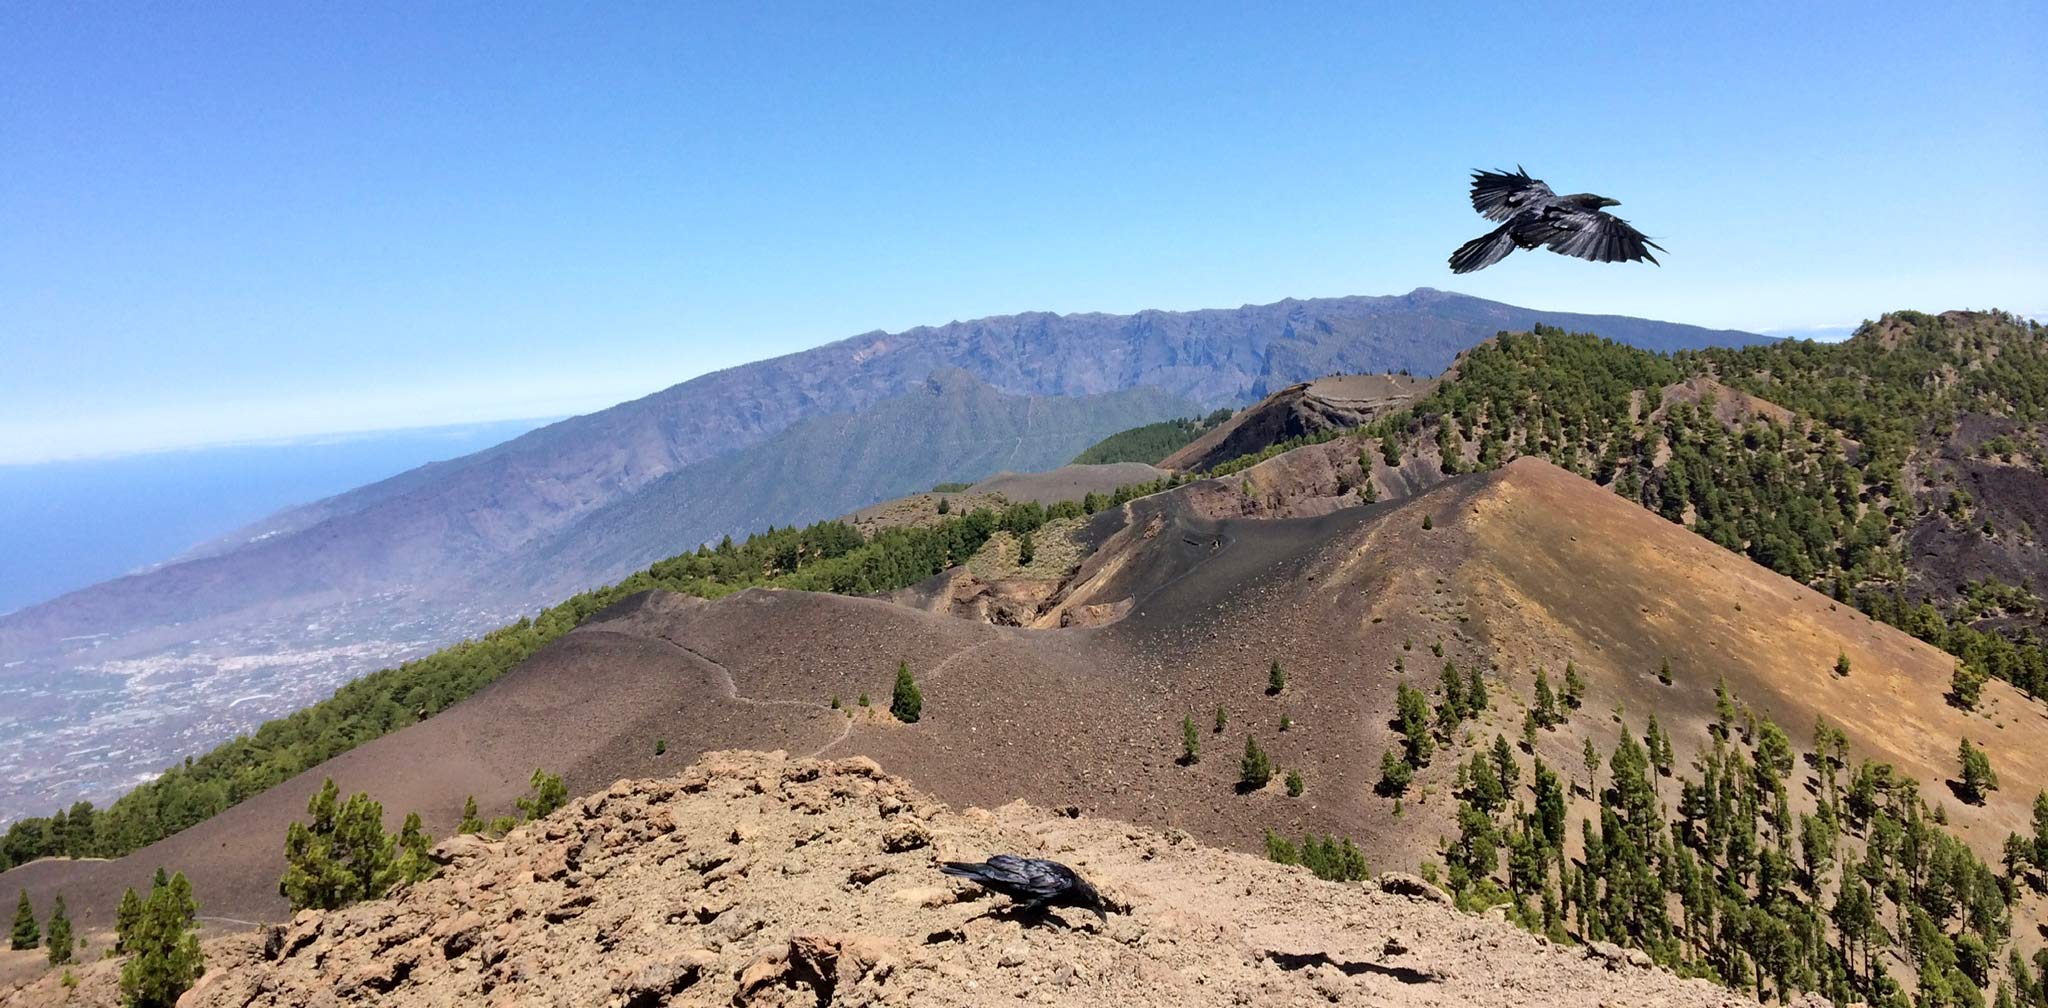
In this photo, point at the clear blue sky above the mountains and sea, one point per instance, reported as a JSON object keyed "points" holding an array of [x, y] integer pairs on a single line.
{"points": [[228, 222]]}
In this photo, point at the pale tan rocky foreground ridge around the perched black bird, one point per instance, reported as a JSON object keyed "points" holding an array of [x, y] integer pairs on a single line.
{"points": [[757, 880]]}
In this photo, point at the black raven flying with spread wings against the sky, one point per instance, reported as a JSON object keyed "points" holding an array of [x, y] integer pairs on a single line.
{"points": [[1576, 224]]}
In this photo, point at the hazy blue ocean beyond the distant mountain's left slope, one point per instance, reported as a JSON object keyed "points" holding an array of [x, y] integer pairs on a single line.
{"points": [[73, 523]]}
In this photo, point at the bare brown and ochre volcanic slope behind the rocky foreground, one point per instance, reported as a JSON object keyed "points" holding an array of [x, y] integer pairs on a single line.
{"points": [[1527, 569]]}
